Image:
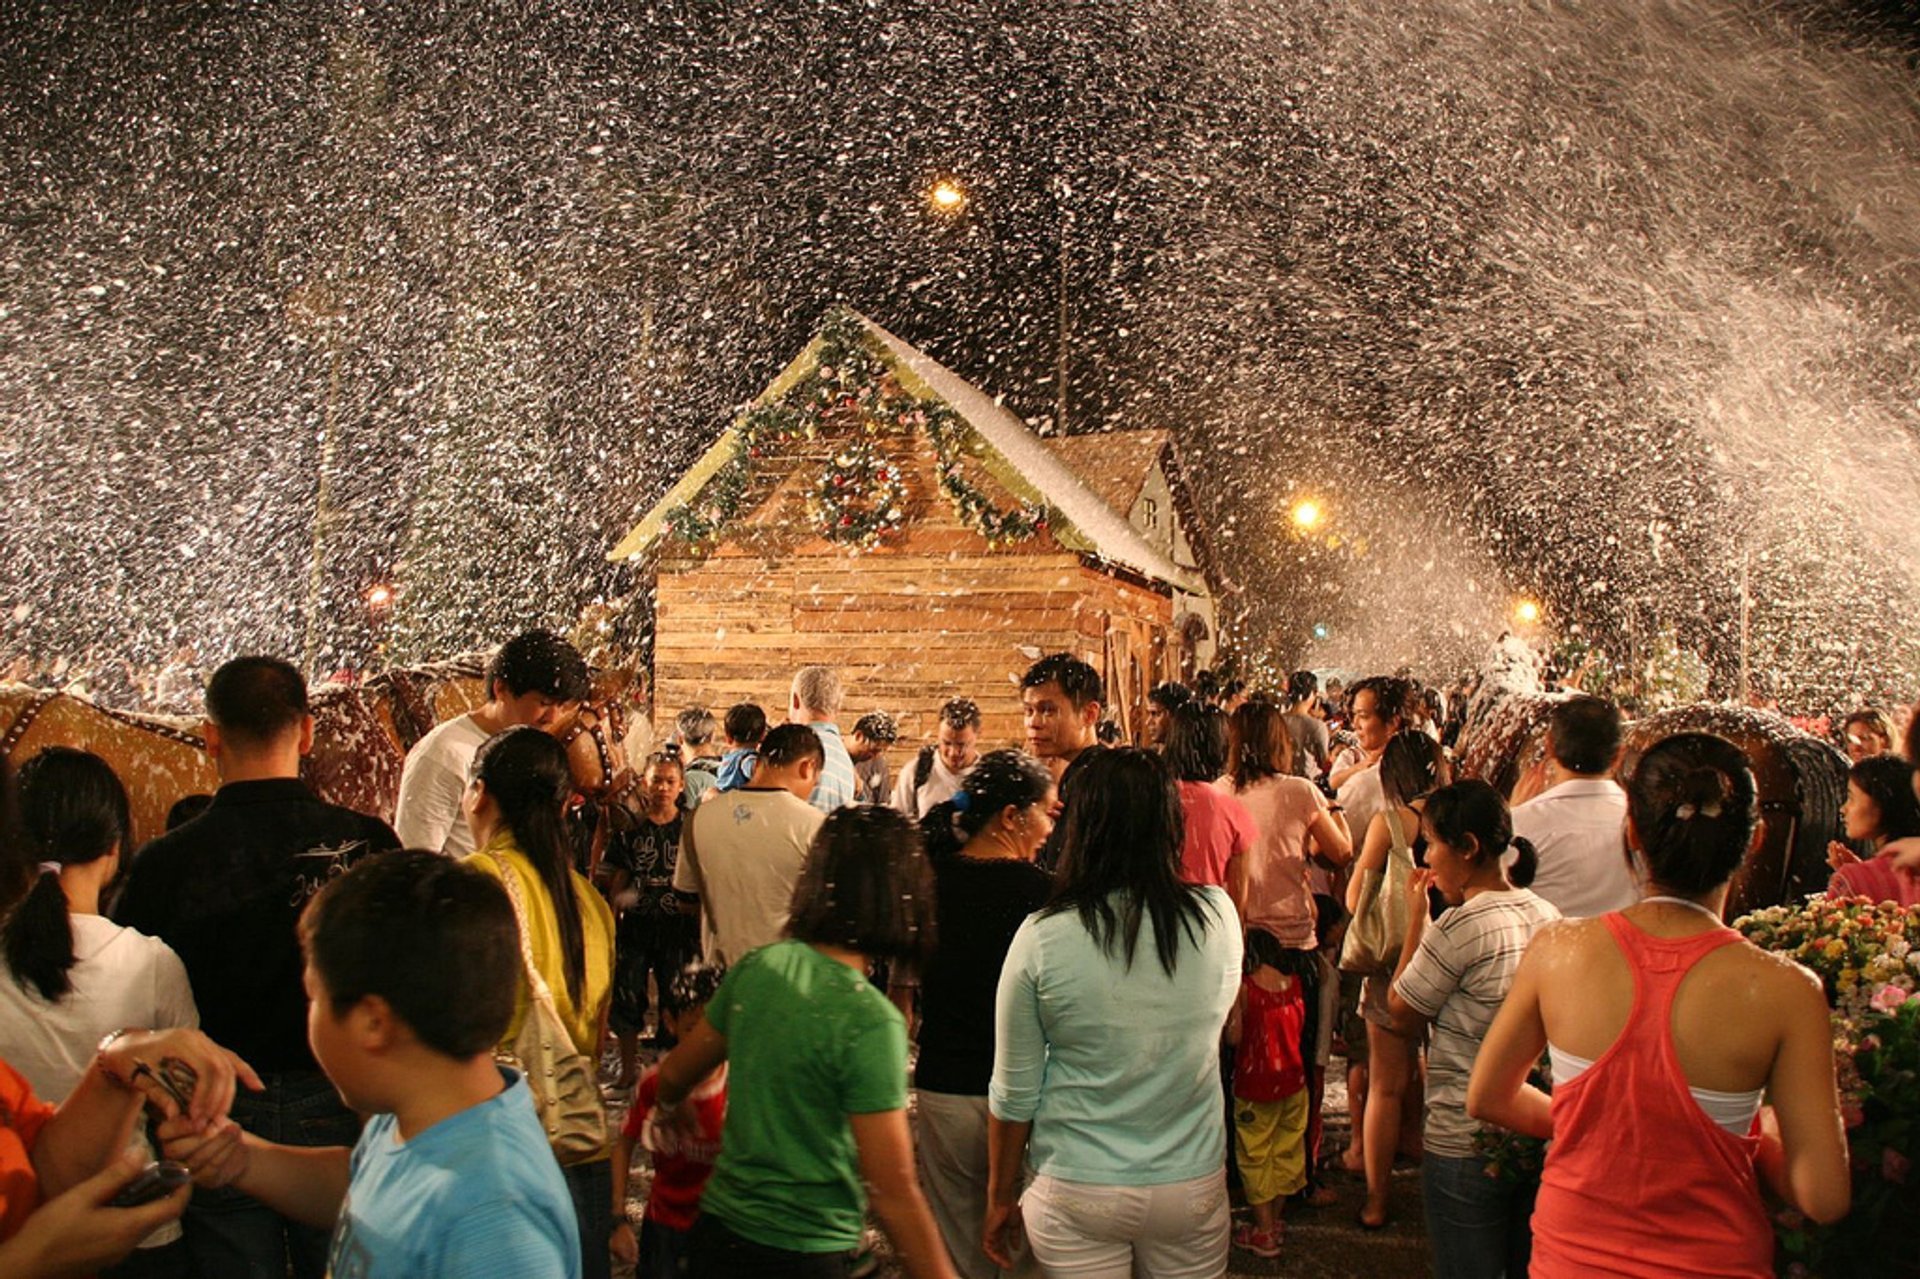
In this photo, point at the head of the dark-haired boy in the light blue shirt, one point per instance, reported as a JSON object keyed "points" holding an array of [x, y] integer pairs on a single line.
{"points": [[406, 950]]}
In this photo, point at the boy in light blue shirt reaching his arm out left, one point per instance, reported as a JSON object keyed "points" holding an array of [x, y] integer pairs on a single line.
{"points": [[414, 963]]}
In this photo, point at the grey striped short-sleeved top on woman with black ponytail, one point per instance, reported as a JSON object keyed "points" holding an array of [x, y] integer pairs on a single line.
{"points": [[1458, 978]]}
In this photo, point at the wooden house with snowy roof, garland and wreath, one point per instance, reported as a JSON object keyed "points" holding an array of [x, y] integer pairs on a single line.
{"points": [[876, 514]]}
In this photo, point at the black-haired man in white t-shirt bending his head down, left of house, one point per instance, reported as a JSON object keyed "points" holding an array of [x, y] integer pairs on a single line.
{"points": [[535, 679]]}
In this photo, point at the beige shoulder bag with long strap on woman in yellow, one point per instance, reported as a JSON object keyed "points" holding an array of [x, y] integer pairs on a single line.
{"points": [[562, 1078]]}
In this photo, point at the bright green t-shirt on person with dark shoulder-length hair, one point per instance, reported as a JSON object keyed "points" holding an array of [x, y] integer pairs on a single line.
{"points": [[809, 1044]]}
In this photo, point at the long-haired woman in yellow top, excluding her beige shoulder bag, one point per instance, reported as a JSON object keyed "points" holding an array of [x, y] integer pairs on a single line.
{"points": [[516, 806]]}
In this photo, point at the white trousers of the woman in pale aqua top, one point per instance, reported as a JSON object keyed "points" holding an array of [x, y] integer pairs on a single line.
{"points": [[1130, 1232]]}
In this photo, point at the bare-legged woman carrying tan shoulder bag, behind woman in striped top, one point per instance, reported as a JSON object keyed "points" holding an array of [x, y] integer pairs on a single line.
{"points": [[1412, 767]]}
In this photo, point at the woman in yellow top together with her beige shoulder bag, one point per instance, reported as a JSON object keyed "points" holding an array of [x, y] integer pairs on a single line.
{"points": [[516, 806]]}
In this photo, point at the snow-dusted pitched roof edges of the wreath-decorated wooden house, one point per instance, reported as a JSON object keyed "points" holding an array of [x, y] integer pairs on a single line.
{"points": [[1013, 454]]}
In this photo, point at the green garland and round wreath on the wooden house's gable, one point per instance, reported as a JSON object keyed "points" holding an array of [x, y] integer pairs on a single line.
{"points": [[859, 500]]}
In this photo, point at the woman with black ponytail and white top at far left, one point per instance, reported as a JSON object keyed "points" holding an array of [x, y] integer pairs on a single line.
{"points": [[74, 977]]}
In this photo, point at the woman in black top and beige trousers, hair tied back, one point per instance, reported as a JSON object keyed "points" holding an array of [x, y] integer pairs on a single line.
{"points": [[986, 886]]}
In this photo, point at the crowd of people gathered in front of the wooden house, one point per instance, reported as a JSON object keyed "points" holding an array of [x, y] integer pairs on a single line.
{"points": [[1067, 1007]]}
